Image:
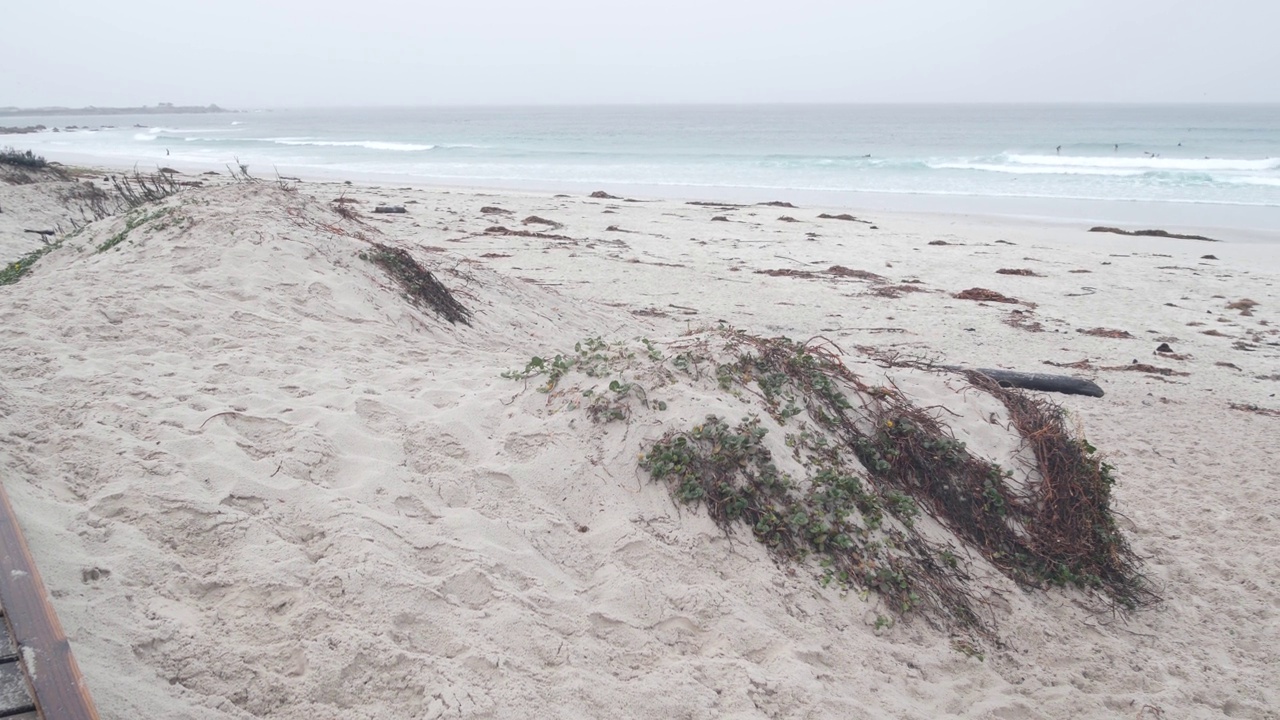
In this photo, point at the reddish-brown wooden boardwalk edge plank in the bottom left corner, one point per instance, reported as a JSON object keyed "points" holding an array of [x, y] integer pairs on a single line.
{"points": [[61, 691]]}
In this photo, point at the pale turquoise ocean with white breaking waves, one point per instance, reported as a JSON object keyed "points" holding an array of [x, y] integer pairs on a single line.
{"points": [[1215, 163]]}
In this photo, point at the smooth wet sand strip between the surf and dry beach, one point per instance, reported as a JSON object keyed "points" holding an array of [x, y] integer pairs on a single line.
{"points": [[1254, 243]]}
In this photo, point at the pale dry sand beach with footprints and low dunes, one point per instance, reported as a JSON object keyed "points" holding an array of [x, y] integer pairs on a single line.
{"points": [[260, 484]]}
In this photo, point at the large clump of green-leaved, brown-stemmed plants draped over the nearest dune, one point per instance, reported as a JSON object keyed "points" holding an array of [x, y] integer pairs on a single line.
{"points": [[876, 464]]}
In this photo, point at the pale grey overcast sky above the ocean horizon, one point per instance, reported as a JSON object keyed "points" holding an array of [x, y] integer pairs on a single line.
{"points": [[275, 53]]}
